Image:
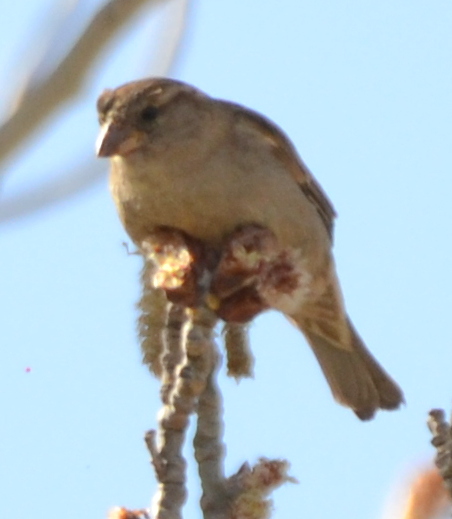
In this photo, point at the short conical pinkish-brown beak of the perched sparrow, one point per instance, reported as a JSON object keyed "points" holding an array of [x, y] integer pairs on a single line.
{"points": [[115, 139]]}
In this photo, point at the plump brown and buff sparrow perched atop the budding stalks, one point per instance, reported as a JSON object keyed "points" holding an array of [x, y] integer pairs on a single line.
{"points": [[182, 160]]}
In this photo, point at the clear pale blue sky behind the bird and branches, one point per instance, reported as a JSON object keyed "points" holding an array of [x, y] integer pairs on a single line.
{"points": [[364, 91]]}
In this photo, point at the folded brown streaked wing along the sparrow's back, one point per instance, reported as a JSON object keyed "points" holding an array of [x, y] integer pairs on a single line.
{"points": [[286, 152]]}
